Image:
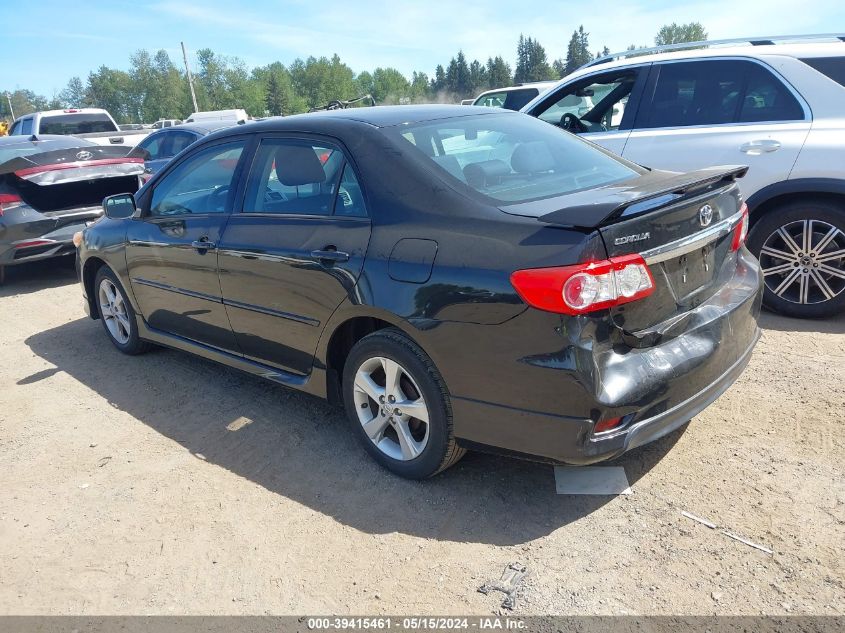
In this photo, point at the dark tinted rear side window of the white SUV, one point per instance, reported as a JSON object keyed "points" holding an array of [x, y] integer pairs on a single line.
{"points": [[716, 92]]}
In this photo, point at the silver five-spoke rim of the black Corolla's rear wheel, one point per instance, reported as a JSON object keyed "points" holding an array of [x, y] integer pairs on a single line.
{"points": [[391, 408]]}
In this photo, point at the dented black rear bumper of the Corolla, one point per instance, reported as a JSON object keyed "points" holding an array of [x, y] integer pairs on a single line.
{"points": [[654, 390]]}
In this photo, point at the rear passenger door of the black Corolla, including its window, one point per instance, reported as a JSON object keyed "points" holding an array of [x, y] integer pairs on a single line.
{"points": [[294, 250]]}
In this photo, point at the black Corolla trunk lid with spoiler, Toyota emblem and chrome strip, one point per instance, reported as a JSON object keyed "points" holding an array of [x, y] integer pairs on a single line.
{"points": [[682, 225]]}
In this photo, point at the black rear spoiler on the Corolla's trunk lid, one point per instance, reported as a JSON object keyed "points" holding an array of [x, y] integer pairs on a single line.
{"points": [[596, 207]]}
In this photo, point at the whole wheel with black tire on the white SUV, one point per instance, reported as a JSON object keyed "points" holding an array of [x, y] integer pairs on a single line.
{"points": [[799, 282]]}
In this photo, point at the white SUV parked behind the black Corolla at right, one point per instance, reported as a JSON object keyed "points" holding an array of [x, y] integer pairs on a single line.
{"points": [[777, 107]]}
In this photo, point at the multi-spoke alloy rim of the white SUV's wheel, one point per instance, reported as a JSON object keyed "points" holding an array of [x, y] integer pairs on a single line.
{"points": [[804, 262]]}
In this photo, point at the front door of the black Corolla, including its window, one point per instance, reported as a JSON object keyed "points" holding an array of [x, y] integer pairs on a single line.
{"points": [[171, 251]]}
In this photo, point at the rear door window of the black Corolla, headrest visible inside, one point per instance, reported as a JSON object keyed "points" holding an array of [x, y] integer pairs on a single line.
{"points": [[292, 176]]}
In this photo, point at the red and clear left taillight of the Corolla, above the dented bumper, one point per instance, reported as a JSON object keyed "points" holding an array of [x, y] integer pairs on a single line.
{"points": [[585, 287]]}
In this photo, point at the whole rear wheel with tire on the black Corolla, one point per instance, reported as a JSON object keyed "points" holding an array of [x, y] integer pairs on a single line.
{"points": [[417, 442]]}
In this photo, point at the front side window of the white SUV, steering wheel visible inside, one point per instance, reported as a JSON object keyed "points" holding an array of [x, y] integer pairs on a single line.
{"points": [[598, 102]]}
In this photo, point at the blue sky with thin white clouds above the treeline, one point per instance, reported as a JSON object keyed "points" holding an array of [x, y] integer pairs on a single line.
{"points": [[51, 41]]}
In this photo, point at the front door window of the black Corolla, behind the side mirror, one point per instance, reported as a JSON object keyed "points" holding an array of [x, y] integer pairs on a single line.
{"points": [[200, 184]]}
